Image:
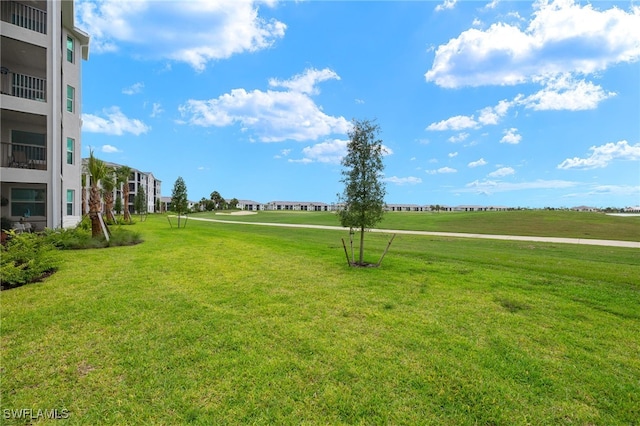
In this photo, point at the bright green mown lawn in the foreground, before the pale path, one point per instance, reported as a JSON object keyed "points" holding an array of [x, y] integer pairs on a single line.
{"points": [[227, 324]]}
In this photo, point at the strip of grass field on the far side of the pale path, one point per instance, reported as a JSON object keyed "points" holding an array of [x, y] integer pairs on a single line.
{"points": [[541, 223]]}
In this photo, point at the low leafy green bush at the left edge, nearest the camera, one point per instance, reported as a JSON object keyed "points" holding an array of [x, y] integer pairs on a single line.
{"points": [[26, 258]]}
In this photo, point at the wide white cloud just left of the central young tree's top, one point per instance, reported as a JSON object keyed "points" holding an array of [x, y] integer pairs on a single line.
{"points": [[273, 115]]}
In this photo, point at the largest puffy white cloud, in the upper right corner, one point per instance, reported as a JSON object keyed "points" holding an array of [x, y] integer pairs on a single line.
{"points": [[562, 36]]}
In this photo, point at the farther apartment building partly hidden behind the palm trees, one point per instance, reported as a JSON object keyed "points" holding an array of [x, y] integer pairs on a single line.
{"points": [[138, 182]]}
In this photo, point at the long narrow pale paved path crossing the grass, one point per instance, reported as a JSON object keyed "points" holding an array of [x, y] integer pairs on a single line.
{"points": [[584, 241]]}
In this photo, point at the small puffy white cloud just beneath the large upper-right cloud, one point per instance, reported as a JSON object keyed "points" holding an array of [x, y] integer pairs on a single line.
{"points": [[565, 93]]}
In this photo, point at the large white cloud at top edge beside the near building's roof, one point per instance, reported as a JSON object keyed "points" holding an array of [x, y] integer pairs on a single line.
{"points": [[200, 30]]}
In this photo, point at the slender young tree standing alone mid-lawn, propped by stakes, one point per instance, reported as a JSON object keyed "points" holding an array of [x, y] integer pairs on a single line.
{"points": [[364, 191]]}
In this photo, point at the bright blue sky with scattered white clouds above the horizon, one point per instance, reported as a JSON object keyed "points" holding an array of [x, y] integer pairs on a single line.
{"points": [[491, 103]]}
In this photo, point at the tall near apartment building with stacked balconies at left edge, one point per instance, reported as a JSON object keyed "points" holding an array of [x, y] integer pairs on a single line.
{"points": [[40, 80]]}
